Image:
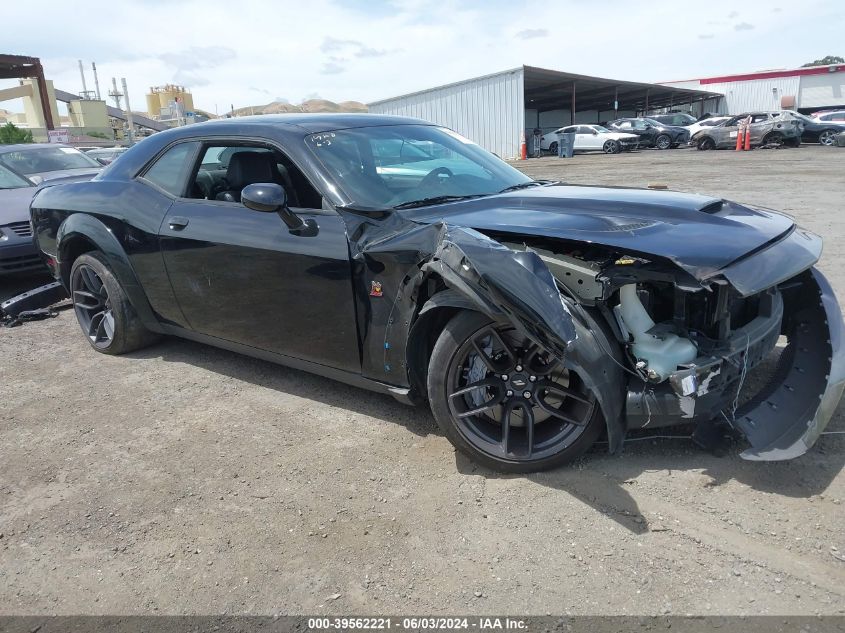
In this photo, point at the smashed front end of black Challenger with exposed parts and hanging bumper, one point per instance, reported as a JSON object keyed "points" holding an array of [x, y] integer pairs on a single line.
{"points": [[692, 341]]}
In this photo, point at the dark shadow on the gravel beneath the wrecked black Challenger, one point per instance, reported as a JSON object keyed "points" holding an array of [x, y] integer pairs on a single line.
{"points": [[598, 479]]}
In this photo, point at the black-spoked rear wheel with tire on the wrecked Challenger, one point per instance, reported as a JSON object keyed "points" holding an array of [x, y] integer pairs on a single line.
{"points": [[102, 308]]}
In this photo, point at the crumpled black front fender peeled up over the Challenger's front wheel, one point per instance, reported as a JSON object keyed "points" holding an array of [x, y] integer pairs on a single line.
{"points": [[514, 287]]}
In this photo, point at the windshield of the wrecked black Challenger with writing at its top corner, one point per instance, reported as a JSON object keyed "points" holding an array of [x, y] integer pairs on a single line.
{"points": [[383, 167]]}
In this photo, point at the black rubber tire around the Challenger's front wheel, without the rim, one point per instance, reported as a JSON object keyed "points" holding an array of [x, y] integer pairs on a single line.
{"points": [[461, 327]]}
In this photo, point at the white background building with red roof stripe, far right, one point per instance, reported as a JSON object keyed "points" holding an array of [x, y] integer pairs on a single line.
{"points": [[802, 89]]}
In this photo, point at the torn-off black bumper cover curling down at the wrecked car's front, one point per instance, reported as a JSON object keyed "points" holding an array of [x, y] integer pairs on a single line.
{"points": [[787, 417]]}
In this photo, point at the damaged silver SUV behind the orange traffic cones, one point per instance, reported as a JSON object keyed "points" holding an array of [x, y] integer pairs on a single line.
{"points": [[767, 128]]}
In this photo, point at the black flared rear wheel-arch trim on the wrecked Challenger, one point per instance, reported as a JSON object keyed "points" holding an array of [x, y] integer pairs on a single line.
{"points": [[89, 228]]}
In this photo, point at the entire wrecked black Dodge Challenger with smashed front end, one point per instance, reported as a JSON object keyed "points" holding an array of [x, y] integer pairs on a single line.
{"points": [[399, 256]]}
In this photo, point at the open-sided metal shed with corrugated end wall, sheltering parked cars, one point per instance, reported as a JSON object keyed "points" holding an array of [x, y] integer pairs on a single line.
{"points": [[498, 111]]}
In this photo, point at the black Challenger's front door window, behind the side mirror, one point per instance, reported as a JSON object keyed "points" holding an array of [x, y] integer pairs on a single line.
{"points": [[225, 169]]}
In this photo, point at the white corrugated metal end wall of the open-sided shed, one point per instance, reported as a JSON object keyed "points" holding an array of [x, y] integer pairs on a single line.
{"points": [[489, 110]]}
